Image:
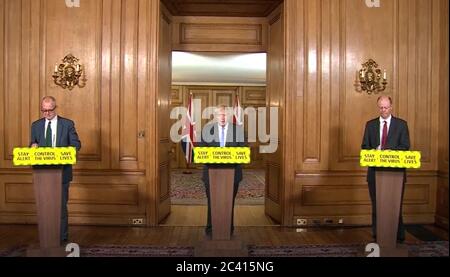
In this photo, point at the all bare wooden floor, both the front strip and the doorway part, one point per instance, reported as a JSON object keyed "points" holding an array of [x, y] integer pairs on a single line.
{"points": [[185, 227]]}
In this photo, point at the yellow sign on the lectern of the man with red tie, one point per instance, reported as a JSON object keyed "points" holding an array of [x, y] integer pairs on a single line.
{"points": [[390, 158]]}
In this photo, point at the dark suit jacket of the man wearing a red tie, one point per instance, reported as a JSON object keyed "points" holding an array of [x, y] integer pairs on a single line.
{"points": [[397, 139]]}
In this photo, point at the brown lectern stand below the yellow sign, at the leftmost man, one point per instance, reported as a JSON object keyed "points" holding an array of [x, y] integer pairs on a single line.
{"points": [[47, 182]]}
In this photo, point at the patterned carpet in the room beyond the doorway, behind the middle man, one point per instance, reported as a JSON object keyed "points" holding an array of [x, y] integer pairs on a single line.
{"points": [[188, 189]]}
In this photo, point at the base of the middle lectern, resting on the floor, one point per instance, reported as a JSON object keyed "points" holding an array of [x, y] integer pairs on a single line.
{"points": [[221, 248]]}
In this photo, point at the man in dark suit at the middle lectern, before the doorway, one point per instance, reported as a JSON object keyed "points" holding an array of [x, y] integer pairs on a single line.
{"points": [[221, 134]]}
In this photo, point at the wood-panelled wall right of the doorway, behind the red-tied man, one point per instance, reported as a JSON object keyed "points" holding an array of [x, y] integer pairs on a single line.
{"points": [[402, 36]]}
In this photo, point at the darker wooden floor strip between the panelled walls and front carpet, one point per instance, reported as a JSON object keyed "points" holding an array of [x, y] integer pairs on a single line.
{"points": [[23, 235]]}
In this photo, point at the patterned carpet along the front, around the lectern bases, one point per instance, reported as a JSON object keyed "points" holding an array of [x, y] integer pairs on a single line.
{"points": [[421, 249]]}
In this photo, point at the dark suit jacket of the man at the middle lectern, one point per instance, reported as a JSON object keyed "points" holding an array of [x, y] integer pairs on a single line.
{"points": [[235, 138]]}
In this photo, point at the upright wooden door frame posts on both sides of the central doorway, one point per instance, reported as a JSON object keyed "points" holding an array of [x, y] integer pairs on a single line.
{"points": [[288, 113]]}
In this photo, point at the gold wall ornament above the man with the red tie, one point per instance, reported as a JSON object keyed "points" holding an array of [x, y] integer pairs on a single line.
{"points": [[370, 79]]}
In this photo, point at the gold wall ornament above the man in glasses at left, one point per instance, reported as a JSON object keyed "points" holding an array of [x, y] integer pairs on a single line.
{"points": [[69, 73]]}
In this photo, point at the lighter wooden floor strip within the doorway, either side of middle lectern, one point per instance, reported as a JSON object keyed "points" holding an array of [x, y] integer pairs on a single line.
{"points": [[190, 215]]}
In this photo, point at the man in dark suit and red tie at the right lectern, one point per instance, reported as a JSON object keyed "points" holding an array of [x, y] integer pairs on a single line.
{"points": [[385, 132]]}
